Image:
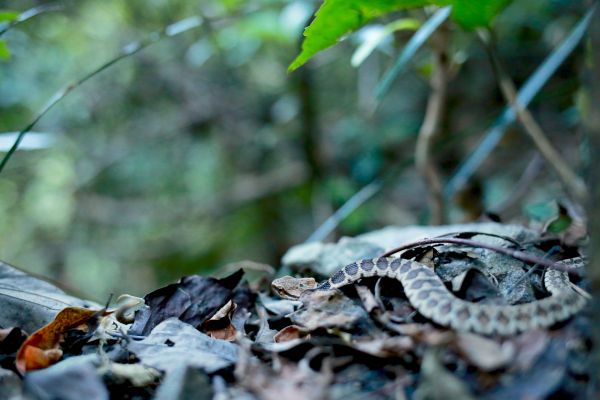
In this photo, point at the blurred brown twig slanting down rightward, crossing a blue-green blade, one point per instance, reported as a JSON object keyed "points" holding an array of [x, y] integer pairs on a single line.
{"points": [[569, 179]]}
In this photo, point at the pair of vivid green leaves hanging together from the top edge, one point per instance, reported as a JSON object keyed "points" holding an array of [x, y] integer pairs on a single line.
{"points": [[336, 18]]}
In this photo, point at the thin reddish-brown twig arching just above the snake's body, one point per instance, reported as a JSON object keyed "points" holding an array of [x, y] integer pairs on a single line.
{"points": [[517, 254]]}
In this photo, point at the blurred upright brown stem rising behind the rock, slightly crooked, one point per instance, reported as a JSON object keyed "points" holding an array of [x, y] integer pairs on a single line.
{"points": [[430, 128]]}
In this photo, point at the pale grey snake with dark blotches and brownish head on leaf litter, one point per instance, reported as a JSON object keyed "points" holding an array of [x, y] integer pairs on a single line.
{"points": [[431, 298]]}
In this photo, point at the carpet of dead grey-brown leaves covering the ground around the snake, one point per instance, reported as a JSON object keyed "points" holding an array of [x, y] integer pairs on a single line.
{"points": [[210, 338]]}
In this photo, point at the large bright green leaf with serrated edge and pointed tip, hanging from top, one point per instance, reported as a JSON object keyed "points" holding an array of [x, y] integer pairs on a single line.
{"points": [[336, 18]]}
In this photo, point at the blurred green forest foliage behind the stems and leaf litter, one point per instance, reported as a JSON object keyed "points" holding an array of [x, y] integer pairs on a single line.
{"points": [[202, 150]]}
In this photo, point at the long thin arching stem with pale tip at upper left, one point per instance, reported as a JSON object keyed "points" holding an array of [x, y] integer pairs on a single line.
{"points": [[132, 48]]}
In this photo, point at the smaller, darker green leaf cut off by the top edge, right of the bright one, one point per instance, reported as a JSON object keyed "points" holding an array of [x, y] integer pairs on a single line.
{"points": [[474, 14]]}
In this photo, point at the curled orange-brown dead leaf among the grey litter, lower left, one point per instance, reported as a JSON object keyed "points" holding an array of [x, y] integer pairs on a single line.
{"points": [[41, 349]]}
